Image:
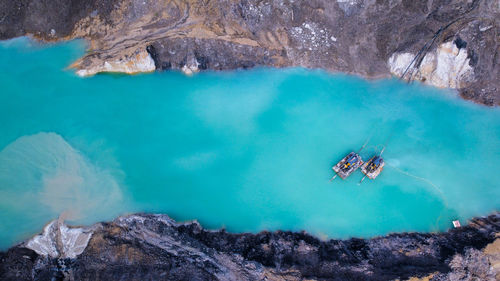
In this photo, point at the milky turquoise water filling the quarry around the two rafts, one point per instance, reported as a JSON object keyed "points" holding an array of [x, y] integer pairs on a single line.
{"points": [[245, 150]]}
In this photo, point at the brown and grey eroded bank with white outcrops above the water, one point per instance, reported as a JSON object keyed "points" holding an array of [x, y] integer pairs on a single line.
{"points": [[371, 38]]}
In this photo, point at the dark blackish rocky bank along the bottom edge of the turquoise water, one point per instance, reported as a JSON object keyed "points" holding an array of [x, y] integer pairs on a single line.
{"points": [[154, 247]]}
